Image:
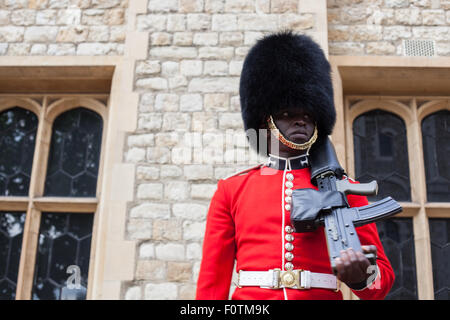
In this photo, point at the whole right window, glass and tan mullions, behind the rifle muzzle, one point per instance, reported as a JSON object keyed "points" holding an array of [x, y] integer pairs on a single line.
{"points": [[404, 144]]}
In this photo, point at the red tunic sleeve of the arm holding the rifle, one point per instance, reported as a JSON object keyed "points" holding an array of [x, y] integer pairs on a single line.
{"points": [[383, 275]]}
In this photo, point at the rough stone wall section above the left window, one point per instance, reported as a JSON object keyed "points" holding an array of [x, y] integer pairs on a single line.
{"points": [[62, 27]]}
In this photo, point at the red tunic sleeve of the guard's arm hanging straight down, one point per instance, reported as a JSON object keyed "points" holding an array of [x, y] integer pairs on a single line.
{"points": [[219, 249]]}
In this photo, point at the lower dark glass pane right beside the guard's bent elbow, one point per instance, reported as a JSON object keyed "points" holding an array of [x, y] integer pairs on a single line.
{"points": [[396, 235]]}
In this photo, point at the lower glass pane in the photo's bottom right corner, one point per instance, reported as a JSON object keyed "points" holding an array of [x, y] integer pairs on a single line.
{"points": [[440, 252]]}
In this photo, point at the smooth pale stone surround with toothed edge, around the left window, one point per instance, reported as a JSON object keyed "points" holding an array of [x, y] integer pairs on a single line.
{"points": [[113, 257]]}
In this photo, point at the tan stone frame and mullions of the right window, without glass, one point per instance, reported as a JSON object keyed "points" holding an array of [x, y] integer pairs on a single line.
{"points": [[412, 110]]}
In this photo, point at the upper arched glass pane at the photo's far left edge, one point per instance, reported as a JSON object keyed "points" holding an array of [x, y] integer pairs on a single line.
{"points": [[17, 140]]}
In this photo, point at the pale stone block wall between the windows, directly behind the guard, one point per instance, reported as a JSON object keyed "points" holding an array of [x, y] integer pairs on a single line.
{"points": [[189, 132]]}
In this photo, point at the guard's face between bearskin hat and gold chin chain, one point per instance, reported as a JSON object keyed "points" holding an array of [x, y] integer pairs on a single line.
{"points": [[296, 126]]}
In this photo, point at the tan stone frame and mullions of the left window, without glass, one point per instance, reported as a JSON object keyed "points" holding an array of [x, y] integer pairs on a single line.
{"points": [[47, 107]]}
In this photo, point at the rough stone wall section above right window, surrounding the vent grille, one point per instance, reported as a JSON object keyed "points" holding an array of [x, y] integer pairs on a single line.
{"points": [[377, 27]]}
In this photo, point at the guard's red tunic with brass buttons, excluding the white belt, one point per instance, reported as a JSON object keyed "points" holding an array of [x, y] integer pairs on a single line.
{"points": [[246, 222]]}
